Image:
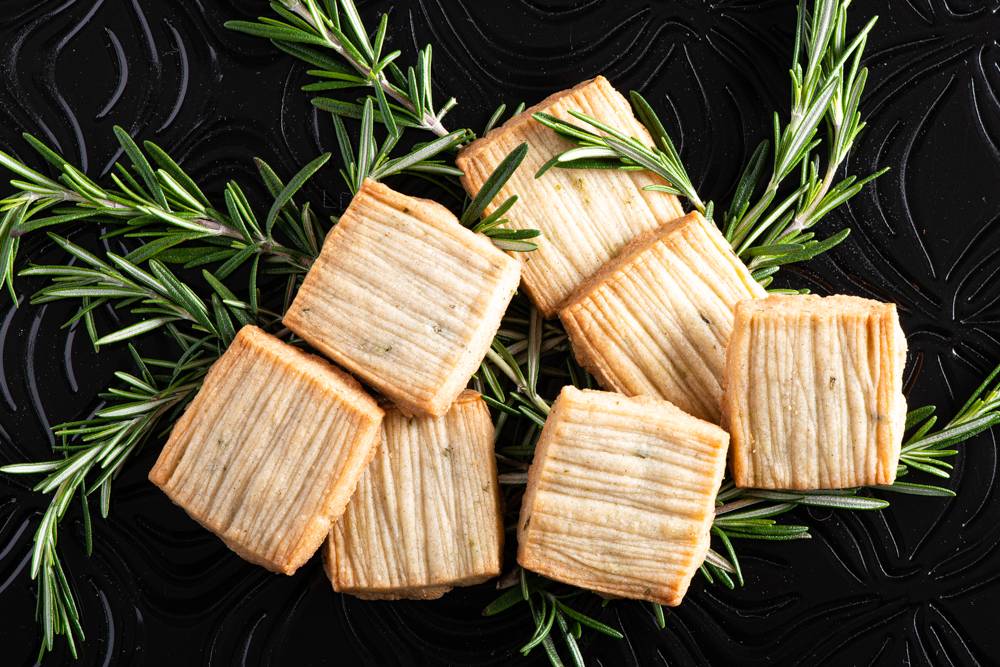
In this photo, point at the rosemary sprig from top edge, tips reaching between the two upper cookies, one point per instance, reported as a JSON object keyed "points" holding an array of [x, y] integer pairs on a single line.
{"points": [[309, 30]]}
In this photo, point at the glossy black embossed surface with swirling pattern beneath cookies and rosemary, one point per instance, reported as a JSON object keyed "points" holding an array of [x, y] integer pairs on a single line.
{"points": [[916, 584]]}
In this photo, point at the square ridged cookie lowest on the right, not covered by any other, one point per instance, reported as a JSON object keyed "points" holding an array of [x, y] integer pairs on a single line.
{"points": [[621, 495]]}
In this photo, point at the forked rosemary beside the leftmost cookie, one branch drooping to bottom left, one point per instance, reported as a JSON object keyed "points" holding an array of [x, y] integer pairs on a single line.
{"points": [[95, 450]]}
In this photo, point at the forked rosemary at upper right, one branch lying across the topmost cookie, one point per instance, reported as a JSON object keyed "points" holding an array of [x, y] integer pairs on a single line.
{"points": [[766, 232]]}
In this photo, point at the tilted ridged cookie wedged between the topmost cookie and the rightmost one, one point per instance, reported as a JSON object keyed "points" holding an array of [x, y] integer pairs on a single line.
{"points": [[656, 320]]}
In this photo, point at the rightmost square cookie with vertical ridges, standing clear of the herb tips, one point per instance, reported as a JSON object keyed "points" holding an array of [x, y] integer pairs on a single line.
{"points": [[814, 392]]}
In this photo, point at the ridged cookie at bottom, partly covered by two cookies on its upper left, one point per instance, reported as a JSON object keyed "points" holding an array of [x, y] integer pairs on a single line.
{"points": [[426, 514]]}
